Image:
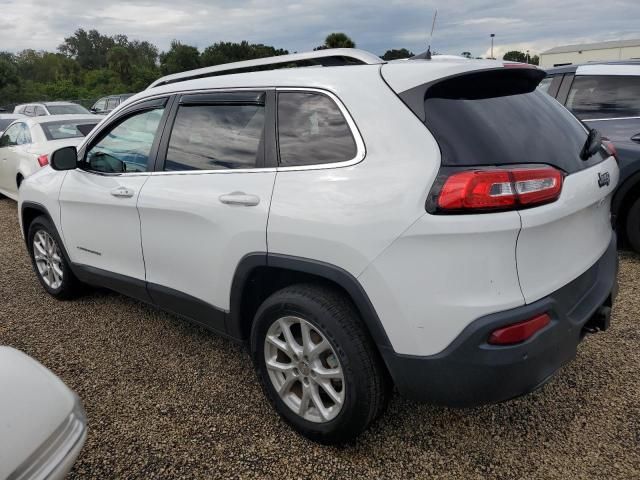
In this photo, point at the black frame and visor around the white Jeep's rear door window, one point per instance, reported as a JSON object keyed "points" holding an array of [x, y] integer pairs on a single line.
{"points": [[222, 97]]}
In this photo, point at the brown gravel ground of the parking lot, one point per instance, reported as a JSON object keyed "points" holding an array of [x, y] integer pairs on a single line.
{"points": [[166, 399]]}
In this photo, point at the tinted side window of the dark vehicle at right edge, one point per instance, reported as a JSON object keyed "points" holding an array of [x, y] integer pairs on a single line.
{"points": [[604, 96]]}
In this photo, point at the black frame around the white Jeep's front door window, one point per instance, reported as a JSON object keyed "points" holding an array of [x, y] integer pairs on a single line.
{"points": [[95, 136]]}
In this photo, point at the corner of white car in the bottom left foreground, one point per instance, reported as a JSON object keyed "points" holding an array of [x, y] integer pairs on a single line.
{"points": [[42, 422]]}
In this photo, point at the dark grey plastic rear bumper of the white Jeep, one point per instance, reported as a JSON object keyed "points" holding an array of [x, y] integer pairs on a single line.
{"points": [[470, 372]]}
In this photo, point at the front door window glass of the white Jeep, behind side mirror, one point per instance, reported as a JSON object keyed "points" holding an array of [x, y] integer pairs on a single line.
{"points": [[127, 146]]}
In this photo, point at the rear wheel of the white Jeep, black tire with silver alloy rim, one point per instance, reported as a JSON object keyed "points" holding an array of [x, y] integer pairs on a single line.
{"points": [[317, 364]]}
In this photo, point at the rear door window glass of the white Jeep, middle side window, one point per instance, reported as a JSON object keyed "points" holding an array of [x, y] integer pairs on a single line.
{"points": [[215, 137]]}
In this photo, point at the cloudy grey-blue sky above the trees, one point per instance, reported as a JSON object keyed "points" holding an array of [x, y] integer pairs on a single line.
{"points": [[300, 25]]}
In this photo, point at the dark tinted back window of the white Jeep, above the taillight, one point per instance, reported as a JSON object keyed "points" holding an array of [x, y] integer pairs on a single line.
{"points": [[499, 117]]}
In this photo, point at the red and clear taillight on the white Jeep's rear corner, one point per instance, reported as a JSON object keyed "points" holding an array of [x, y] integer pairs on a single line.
{"points": [[498, 189]]}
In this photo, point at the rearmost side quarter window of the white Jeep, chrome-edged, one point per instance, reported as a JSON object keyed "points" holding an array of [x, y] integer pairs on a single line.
{"points": [[312, 130]]}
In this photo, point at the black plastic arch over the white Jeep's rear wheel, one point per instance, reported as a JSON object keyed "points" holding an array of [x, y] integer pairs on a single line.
{"points": [[258, 275]]}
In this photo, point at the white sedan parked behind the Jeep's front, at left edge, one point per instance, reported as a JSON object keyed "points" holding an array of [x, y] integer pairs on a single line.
{"points": [[26, 144]]}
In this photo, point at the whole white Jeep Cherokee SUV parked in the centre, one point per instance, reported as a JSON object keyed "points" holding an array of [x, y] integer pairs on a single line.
{"points": [[440, 226]]}
